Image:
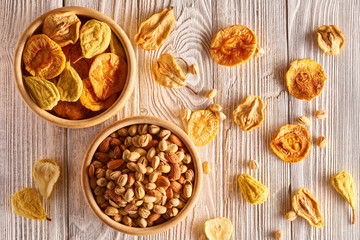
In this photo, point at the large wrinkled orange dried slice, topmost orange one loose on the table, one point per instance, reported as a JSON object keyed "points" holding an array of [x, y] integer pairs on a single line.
{"points": [[233, 45]]}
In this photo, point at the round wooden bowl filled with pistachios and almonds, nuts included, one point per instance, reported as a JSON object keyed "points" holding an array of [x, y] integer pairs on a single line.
{"points": [[141, 175]]}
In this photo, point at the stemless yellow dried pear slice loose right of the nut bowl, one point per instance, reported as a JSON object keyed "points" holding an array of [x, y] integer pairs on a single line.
{"points": [[253, 191]]}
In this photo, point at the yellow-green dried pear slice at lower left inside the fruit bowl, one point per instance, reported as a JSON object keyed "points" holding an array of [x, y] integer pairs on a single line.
{"points": [[44, 92]]}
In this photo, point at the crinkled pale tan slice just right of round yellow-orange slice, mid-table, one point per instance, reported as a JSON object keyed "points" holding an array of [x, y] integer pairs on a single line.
{"points": [[249, 114]]}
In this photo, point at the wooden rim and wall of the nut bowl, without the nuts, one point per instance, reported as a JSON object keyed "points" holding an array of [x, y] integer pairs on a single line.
{"points": [[85, 184]]}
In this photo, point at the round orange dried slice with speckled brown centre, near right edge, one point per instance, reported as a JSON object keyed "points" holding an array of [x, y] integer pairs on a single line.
{"points": [[305, 79]]}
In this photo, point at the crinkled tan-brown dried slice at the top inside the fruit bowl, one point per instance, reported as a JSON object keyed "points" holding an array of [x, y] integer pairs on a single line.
{"points": [[62, 27]]}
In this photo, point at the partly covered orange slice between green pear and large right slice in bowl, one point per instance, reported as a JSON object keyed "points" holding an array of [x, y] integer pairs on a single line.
{"points": [[89, 100]]}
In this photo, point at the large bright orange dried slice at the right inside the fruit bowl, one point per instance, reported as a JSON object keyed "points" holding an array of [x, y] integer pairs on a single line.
{"points": [[107, 75]]}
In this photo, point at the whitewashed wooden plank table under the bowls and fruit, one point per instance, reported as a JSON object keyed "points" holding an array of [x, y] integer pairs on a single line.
{"points": [[286, 30]]}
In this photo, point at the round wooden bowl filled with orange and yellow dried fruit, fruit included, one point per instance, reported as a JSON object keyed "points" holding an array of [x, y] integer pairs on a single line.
{"points": [[74, 67]]}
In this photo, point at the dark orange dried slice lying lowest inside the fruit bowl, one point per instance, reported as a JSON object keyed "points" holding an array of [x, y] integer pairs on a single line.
{"points": [[71, 110]]}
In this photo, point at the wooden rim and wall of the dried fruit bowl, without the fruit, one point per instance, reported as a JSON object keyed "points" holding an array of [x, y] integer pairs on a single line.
{"points": [[83, 123]]}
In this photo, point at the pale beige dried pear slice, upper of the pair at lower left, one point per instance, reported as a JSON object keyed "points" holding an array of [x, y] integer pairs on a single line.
{"points": [[46, 172]]}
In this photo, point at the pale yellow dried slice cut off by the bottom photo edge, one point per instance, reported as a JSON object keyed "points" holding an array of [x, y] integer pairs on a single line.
{"points": [[218, 229]]}
